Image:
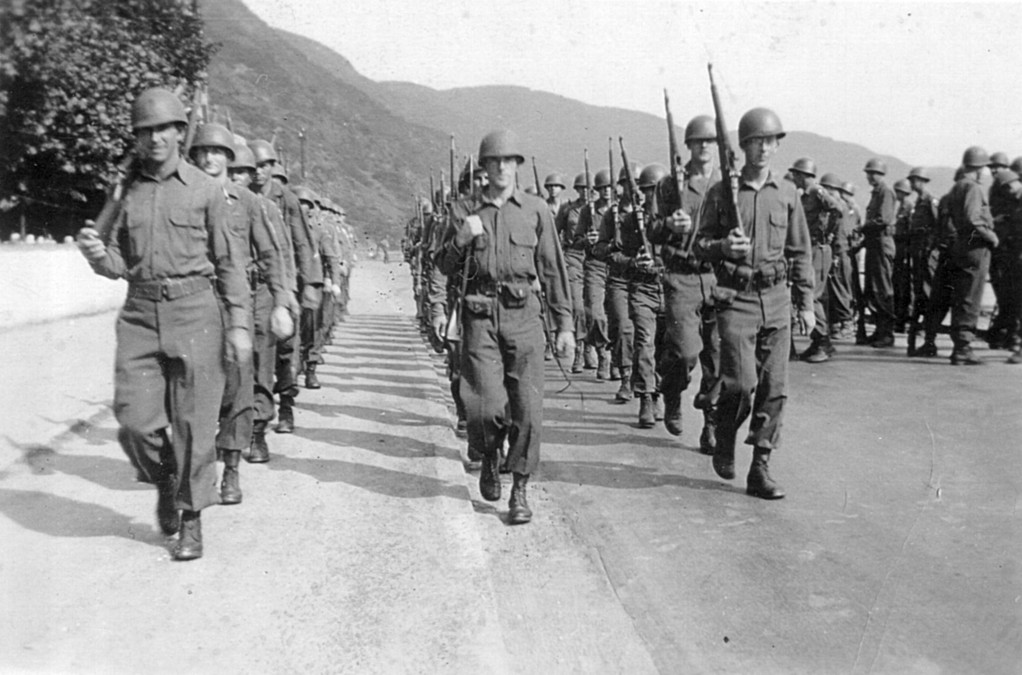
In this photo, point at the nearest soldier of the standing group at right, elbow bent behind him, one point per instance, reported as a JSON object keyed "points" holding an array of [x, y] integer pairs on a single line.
{"points": [[969, 255]]}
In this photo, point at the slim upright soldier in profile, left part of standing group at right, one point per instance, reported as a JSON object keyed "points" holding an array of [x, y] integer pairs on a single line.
{"points": [[878, 240]]}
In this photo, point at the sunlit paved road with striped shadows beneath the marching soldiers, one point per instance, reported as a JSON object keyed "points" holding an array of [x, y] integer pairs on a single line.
{"points": [[363, 547]]}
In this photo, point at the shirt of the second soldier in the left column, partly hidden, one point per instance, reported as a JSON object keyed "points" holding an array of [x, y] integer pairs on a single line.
{"points": [[250, 222]]}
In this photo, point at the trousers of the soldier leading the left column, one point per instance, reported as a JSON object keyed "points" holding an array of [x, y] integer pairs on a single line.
{"points": [[170, 374]]}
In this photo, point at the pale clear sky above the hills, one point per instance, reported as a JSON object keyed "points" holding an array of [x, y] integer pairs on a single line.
{"points": [[921, 81]]}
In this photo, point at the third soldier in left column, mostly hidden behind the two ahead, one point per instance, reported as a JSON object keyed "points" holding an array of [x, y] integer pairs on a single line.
{"points": [[265, 304]]}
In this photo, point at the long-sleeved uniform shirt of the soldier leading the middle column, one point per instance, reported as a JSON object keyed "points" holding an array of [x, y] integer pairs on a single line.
{"points": [[519, 245]]}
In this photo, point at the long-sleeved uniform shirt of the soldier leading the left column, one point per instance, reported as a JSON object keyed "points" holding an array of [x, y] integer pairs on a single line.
{"points": [[176, 228]]}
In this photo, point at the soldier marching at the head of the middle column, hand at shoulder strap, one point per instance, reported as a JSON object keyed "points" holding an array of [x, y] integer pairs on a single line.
{"points": [[515, 264]]}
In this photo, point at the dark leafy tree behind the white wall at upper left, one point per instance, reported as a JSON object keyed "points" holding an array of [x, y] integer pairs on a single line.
{"points": [[69, 72]]}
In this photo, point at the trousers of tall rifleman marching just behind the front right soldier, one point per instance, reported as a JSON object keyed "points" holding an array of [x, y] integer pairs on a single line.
{"points": [[691, 337]]}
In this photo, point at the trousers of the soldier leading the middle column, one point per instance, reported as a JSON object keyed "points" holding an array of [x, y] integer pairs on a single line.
{"points": [[502, 379]]}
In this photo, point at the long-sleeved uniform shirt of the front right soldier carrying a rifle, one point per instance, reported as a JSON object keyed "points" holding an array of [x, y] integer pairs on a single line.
{"points": [[774, 220]]}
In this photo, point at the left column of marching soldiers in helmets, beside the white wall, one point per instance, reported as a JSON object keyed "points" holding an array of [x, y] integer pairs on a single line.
{"points": [[222, 263]]}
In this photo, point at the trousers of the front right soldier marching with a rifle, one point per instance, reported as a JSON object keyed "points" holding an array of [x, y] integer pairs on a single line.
{"points": [[756, 336]]}
